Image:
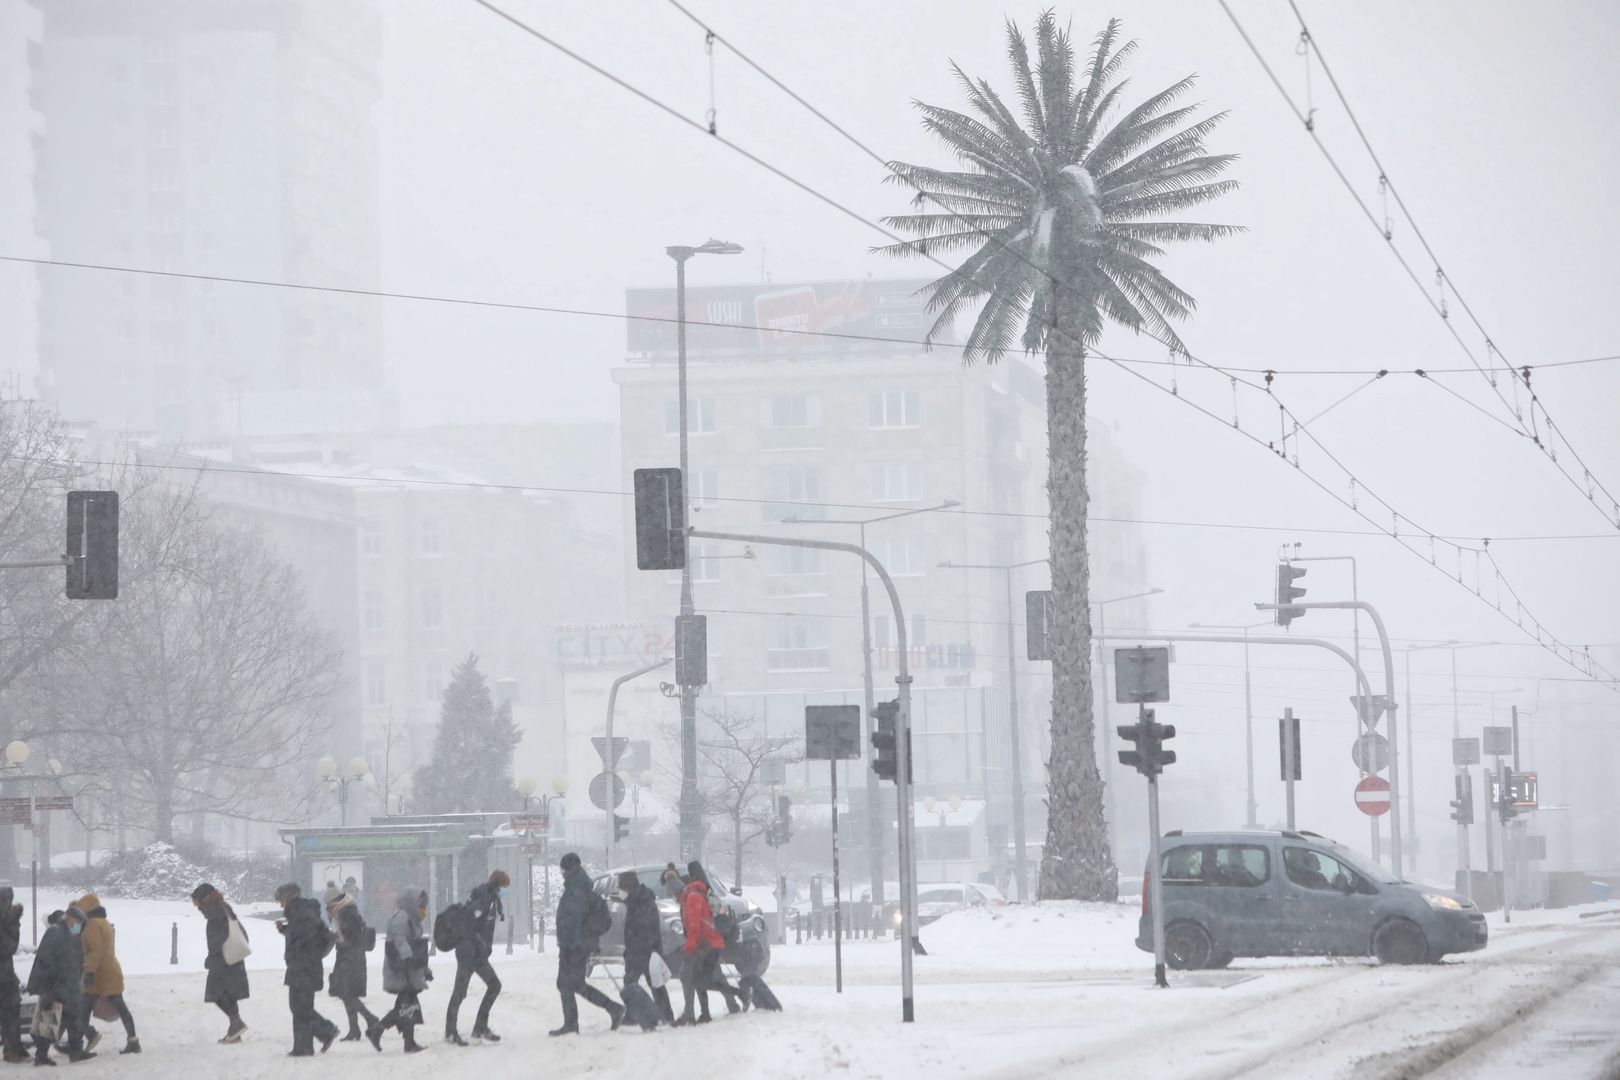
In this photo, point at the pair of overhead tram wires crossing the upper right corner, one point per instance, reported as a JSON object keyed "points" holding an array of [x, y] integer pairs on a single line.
{"points": [[1520, 376]]}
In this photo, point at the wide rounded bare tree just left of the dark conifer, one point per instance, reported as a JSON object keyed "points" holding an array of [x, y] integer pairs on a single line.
{"points": [[207, 684]]}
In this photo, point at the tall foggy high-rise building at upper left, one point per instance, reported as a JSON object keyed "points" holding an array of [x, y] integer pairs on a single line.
{"points": [[211, 138]]}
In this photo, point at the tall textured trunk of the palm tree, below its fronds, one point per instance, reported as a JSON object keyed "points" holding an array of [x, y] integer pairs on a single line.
{"points": [[1076, 864]]}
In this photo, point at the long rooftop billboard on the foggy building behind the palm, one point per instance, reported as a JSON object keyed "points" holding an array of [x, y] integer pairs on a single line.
{"points": [[778, 320]]}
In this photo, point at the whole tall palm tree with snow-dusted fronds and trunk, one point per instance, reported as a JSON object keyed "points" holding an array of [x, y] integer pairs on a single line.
{"points": [[1062, 216]]}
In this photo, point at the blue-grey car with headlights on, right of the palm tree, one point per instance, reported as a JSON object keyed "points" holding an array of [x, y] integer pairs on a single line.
{"points": [[1264, 893]]}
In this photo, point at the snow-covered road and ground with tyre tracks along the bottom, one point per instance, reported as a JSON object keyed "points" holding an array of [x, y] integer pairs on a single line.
{"points": [[1054, 992]]}
